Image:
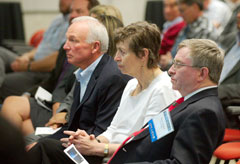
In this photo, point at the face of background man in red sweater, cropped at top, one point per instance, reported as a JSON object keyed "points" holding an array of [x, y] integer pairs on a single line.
{"points": [[170, 10]]}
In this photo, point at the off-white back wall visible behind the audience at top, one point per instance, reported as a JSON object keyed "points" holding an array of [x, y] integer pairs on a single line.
{"points": [[37, 14]]}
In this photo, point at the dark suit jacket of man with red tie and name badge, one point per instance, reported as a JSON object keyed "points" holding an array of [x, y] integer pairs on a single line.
{"points": [[198, 129]]}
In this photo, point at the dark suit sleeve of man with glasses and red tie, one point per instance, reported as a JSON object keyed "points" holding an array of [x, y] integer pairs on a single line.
{"points": [[194, 142]]}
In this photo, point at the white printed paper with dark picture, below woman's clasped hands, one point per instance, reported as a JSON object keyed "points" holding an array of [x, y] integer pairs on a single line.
{"points": [[74, 155]]}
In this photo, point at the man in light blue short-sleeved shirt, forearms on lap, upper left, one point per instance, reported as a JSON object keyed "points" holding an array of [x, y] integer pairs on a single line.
{"points": [[29, 69]]}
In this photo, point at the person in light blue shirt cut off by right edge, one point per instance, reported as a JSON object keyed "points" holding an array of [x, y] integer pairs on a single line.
{"points": [[228, 89]]}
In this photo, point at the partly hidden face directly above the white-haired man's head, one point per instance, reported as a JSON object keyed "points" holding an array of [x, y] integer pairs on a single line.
{"points": [[79, 8]]}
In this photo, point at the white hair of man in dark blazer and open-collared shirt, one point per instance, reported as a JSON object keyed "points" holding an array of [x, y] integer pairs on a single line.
{"points": [[97, 31]]}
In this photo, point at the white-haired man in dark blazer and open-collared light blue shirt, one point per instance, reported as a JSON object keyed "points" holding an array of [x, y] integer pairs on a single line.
{"points": [[97, 91]]}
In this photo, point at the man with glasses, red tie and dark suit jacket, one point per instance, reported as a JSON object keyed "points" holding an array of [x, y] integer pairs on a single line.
{"points": [[198, 121]]}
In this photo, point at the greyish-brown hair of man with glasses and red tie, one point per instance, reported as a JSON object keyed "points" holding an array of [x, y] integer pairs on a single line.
{"points": [[205, 53]]}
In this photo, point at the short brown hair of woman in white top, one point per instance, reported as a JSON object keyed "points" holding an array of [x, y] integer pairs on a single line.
{"points": [[141, 35]]}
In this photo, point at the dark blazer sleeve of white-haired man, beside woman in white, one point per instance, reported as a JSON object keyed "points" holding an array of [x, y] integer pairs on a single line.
{"points": [[109, 99]]}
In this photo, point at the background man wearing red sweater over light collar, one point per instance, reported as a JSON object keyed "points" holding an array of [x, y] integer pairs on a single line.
{"points": [[173, 25]]}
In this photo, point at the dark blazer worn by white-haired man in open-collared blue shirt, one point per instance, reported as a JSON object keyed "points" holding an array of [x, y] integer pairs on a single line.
{"points": [[100, 102]]}
